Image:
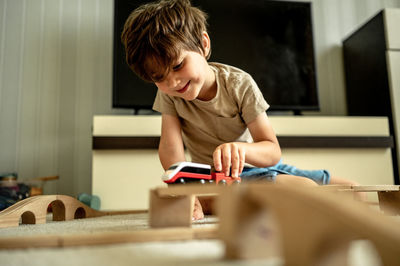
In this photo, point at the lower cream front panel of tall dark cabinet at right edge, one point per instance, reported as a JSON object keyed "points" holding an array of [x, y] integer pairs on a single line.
{"points": [[393, 59]]}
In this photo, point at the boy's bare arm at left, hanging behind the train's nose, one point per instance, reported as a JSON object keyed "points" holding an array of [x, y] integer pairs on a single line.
{"points": [[171, 148]]}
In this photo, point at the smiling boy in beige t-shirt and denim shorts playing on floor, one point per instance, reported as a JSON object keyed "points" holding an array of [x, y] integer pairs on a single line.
{"points": [[215, 110]]}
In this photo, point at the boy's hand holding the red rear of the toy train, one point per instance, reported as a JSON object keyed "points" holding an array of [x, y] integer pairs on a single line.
{"points": [[229, 156]]}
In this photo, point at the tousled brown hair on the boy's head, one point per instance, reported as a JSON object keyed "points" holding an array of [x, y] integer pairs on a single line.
{"points": [[155, 33]]}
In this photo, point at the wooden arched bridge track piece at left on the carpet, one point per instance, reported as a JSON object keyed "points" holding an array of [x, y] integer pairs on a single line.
{"points": [[33, 210]]}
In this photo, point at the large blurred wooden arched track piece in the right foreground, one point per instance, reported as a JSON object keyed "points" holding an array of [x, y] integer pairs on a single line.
{"points": [[310, 223]]}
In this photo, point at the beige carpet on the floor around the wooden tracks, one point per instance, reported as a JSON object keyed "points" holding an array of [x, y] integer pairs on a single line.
{"points": [[192, 253]]}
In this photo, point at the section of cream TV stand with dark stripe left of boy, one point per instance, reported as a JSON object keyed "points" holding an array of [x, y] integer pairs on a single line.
{"points": [[121, 174]]}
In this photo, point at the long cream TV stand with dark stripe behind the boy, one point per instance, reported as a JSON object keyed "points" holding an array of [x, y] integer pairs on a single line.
{"points": [[126, 163]]}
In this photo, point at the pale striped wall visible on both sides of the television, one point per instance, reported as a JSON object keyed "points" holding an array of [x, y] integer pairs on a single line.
{"points": [[56, 73]]}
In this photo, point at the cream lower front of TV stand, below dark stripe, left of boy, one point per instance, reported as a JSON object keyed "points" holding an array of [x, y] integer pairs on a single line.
{"points": [[123, 178]]}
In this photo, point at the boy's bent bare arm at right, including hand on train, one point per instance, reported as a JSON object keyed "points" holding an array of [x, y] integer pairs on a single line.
{"points": [[264, 152]]}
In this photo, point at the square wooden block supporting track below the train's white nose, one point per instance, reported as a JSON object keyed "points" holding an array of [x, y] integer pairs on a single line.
{"points": [[170, 211]]}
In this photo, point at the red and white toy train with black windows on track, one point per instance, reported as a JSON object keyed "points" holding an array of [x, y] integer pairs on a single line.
{"points": [[187, 172]]}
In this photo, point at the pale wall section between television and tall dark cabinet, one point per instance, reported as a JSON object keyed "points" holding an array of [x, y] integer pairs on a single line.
{"points": [[334, 20]]}
